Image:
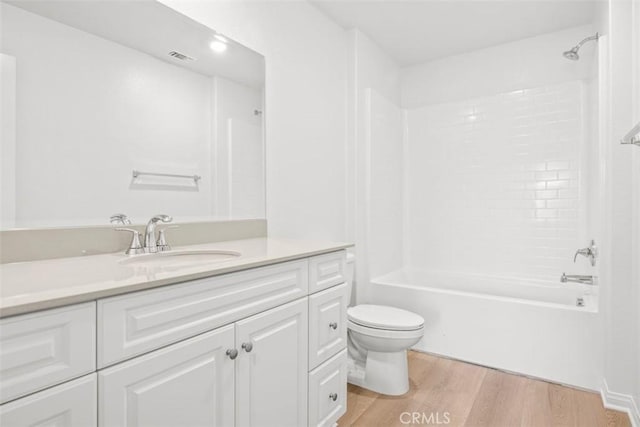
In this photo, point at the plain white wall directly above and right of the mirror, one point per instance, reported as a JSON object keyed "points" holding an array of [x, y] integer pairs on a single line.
{"points": [[306, 83]]}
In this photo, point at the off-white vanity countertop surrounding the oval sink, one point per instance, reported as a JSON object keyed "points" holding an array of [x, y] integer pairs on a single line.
{"points": [[38, 285]]}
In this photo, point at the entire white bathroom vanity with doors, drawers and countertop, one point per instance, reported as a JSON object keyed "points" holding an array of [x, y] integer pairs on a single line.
{"points": [[210, 349]]}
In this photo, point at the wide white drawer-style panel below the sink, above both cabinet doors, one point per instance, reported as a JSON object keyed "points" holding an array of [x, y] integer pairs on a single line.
{"points": [[133, 324]]}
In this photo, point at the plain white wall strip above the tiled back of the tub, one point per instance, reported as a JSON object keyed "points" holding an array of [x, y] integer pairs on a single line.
{"points": [[522, 64]]}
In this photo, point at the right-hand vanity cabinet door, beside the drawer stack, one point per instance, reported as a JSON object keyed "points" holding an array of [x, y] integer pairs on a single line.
{"points": [[271, 386]]}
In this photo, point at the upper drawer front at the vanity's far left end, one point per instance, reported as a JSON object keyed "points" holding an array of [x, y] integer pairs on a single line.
{"points": [[46, 348]]}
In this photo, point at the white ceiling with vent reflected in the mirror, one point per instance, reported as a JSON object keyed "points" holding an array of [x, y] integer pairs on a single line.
{"points": [[155, 29]]}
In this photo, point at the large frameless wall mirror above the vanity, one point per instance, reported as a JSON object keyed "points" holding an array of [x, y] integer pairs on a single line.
{"points": [[126, 107]]}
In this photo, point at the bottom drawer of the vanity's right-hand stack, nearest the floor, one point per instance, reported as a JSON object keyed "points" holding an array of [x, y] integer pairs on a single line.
{"points": [[328, 391]]}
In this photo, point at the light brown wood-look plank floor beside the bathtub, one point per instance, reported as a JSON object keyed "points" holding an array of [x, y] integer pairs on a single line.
{"points": [[470, 395]]}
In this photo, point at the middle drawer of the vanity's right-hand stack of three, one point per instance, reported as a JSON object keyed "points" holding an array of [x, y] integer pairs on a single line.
{"points": [[327, 323]]}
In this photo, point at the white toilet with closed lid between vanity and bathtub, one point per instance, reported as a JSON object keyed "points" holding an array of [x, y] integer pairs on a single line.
{"points": [[378, 339]]}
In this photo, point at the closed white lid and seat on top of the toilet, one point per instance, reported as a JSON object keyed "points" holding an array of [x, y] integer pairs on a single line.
{"points": [[384, 317]]}
